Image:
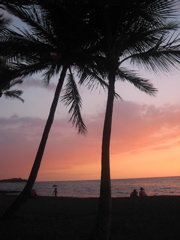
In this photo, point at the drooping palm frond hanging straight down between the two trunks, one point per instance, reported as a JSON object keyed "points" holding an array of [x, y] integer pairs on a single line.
{"points": [[72, 98]]}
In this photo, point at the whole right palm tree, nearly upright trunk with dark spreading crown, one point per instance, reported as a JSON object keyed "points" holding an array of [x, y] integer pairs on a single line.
{"points": [[128, 35]]}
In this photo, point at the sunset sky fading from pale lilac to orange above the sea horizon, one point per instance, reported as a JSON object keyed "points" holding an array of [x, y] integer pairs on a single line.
{"points": [[145, 139]]}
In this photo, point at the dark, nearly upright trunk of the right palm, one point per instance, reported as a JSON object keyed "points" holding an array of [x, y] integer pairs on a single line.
{"points": [[102, 226]]}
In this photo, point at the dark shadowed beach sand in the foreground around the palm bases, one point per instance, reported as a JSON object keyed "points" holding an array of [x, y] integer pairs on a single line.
{"points": [[72, 218]]}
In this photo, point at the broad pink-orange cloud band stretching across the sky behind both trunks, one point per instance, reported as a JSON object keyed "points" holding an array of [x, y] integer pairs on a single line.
{"points": [[136, 128]]}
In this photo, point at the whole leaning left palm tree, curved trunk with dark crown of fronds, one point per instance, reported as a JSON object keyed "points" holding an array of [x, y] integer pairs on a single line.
{"points": [[50, 47]]}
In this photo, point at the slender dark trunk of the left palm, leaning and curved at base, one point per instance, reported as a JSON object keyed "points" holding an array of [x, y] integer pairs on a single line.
{"points": [[24, 195]]}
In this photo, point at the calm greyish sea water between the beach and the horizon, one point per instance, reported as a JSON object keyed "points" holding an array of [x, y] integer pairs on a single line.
{"points": [[90, 188]]}
